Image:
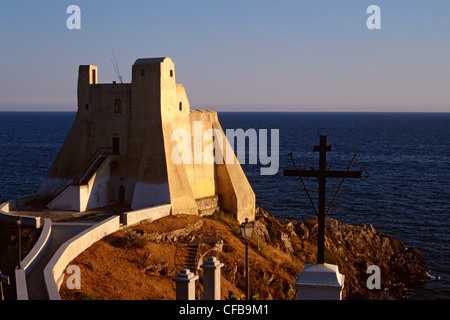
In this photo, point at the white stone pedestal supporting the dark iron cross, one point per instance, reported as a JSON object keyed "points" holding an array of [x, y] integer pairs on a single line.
{"points": [[320, 282]]}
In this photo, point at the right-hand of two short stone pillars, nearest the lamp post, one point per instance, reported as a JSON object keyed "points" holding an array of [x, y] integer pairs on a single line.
{"points": [[211, 278]]}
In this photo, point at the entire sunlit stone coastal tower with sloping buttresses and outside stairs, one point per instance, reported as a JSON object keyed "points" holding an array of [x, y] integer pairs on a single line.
{"points": [[120, 147]]}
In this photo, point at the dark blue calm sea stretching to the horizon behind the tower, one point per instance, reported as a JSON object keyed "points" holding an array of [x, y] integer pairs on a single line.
{"points": [[406, 155]]}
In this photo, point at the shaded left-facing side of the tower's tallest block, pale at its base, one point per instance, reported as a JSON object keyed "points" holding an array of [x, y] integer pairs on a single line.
{"points": [[146, 151]]}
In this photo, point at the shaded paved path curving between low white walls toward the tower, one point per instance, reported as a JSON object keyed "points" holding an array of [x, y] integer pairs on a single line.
{"points": [[61, 232]]}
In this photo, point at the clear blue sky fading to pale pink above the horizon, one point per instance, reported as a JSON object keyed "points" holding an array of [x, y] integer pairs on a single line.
{"points": [[242, 55]]}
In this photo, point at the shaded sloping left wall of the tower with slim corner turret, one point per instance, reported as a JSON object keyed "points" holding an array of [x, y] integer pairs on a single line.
{"points": [[95, 125]]}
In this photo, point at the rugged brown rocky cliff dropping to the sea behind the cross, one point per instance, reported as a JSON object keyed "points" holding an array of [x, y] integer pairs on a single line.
{"points": [[353, 249]]}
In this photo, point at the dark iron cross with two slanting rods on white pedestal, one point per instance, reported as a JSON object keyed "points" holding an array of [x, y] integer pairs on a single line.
{"points": [[322, 174]]}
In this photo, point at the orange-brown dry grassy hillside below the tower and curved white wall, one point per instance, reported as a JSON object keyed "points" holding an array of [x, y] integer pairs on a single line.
{"points": [[120, 268]]}
